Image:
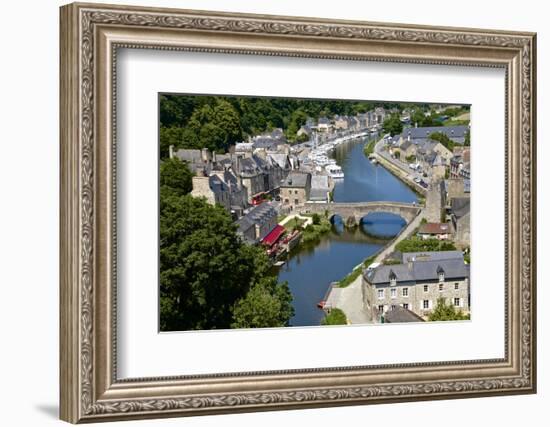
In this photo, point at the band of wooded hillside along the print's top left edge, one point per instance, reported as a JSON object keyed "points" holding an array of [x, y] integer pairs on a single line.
{"points": [[216, 122]]}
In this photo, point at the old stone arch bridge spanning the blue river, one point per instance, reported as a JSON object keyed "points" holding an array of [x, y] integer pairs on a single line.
{"points": [[407, 211]]}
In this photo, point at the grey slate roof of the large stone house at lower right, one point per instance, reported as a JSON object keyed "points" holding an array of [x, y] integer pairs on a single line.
{"points": [[419, 271]]}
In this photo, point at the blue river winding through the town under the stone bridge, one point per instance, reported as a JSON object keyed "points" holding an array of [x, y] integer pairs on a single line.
{"points": [[311, 268]]}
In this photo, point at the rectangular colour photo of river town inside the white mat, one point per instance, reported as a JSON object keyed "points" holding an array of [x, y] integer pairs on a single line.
{"points": [[280, 212]]}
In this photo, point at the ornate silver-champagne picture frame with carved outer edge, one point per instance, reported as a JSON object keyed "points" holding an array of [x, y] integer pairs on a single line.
{"points": [[91, 391]]}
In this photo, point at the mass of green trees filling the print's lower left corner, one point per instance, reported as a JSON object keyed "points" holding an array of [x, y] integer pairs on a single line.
{"points": [[210, 279]]}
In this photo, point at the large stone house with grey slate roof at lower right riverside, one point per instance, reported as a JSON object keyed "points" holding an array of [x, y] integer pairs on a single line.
{"points": [[417, 284]]}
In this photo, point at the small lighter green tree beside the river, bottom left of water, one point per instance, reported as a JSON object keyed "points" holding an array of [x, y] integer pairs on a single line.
{"points": [[266, 305]]}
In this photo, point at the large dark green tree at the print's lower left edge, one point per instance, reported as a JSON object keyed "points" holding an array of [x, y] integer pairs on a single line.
{"points": [[204, 267]]}
